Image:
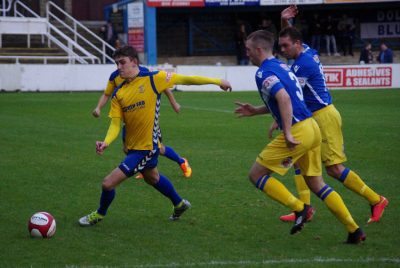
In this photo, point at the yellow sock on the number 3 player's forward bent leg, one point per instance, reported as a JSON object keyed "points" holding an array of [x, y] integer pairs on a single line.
{"points": [[277, 191]]}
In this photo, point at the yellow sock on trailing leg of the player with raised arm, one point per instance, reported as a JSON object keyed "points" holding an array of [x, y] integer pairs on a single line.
{"points": [[356, 184]]}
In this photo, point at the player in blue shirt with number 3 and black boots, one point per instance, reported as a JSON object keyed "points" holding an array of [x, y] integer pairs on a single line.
{"points": [[299, 142]]}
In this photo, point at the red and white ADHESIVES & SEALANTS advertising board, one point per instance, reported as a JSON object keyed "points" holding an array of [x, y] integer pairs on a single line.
{"points": [[359, 77]]}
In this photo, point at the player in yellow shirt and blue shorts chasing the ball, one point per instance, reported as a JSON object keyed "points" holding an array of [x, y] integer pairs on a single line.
{"points": [[136, 102]]}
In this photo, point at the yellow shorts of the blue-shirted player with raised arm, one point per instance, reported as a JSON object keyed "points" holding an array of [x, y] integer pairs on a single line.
{"points": [[330, 124]]}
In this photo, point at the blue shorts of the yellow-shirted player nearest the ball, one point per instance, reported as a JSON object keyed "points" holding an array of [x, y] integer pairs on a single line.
{"points": [[136, 161]]}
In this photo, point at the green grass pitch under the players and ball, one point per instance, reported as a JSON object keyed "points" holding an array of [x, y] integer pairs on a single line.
{"points": [[48, 163]]}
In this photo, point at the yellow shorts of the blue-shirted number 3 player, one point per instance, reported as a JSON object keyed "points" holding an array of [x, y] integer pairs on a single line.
{"points": [[277, 157]]}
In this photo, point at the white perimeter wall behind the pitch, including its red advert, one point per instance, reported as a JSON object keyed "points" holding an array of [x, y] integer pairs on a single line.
{"points": [[57, 77]]}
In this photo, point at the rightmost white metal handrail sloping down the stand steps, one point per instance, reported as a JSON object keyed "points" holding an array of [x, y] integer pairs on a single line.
{"points": [[74, 30]]}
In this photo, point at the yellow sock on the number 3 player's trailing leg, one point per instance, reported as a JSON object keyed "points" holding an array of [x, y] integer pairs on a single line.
{"points": [[336, 205]]}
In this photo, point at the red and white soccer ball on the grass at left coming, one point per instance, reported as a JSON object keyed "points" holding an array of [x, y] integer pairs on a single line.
{"points": [[42, 224]]}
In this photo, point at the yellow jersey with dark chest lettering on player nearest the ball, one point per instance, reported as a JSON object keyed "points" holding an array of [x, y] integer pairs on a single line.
{"points": [[137, 103]]}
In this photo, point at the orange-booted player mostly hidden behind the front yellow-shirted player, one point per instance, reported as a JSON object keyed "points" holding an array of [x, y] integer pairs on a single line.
{"points": [[167, 151]]}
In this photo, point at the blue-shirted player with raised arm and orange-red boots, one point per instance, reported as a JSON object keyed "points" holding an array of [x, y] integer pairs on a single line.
{"points": [[309, 71]]}
